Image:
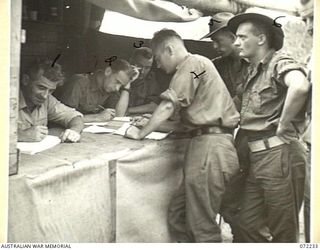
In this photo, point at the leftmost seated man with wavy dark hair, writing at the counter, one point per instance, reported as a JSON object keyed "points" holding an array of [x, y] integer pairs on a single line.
{"points": [[37, 106]]}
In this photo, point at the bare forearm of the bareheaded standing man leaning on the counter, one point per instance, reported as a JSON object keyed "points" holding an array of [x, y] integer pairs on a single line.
{"points": [[161, 114]]}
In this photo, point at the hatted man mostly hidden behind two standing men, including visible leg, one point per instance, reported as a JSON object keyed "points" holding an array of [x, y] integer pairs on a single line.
{"points": [[233, 70]]}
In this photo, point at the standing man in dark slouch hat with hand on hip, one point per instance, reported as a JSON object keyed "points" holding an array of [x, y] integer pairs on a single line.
{"points": [[271, 121]]}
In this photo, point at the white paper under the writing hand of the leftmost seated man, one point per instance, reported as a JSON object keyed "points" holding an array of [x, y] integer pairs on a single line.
{"points": [[34, 147]]}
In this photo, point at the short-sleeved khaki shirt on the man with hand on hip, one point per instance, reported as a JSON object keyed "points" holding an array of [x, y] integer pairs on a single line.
{"points": [[264, 94]]}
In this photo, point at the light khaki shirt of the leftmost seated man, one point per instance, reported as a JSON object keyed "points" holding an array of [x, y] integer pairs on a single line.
{"points": [[50, 110]]}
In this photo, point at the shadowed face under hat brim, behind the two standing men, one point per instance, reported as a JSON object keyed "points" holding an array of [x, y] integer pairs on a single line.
{"points": [[222, 42]]}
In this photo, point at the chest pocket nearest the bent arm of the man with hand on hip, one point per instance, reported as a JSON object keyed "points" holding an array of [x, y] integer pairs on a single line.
{"points": [[263, 98]]}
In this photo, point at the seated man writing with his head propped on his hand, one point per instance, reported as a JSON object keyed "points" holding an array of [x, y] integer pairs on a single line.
{"points": [[88, 93]]}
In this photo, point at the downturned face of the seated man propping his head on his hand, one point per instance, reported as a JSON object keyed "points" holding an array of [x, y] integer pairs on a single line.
{"points": [[114, 81]]}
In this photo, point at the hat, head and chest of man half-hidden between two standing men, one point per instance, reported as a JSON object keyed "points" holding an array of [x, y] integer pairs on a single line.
{"points": [[231, 67]]}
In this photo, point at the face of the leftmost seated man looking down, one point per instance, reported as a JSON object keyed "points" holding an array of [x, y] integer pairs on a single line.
{"points": [[39, 90]]}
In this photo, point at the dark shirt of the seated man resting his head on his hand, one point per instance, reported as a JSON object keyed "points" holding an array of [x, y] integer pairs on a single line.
{"points": [[81, 94]]}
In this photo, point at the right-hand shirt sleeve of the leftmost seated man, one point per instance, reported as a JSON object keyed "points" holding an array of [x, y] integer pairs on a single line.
{"points": [[60, 113]]}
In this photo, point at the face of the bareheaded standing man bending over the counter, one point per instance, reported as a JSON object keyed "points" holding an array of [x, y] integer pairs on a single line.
{"points": [[163, 59]]}
